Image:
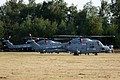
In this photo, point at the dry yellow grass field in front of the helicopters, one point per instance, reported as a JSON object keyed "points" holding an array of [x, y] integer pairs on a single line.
{"points": [[35, 66]]}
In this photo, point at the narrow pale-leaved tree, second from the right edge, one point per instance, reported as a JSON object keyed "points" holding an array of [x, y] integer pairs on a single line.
{"points": [[104, 13]]}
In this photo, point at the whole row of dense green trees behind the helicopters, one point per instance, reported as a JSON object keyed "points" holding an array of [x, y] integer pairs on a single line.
{"points": [[55, 17]]}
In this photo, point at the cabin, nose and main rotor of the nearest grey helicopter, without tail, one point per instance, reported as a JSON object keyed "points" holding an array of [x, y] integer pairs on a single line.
{"points": [[83, 45]]}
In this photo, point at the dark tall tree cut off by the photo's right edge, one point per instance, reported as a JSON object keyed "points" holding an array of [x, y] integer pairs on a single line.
{"points": [[115, 9]]}
